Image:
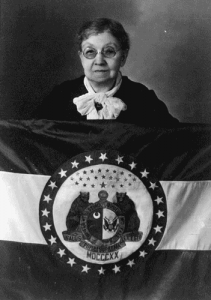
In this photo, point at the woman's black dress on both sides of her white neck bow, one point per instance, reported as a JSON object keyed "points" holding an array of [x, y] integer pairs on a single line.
{"points": [[143, 106]]}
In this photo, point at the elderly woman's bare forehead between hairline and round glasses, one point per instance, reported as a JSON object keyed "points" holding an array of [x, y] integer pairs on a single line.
{"points": [[100, 39]]}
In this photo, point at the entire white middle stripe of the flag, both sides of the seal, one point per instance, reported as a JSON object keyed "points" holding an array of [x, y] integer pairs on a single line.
{"points": [[188, 204]]}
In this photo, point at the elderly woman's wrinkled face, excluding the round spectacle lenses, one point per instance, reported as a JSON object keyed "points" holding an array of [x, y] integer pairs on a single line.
{"points": [[101, 70]]}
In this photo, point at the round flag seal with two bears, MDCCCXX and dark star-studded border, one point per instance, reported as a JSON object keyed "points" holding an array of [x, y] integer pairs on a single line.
{"points": [[102, 211]]}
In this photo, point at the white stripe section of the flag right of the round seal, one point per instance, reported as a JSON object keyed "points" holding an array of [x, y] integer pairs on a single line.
{"points": [[189, 215]]}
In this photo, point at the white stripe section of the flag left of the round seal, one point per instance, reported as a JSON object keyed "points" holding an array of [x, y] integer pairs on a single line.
{"points": [[19, 207]]}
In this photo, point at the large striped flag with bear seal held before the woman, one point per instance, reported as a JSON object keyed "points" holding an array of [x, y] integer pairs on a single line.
{"points": [[103, 210]]}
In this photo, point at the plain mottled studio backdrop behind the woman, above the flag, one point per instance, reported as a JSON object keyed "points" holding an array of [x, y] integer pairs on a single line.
{"points": [[170, 53]]}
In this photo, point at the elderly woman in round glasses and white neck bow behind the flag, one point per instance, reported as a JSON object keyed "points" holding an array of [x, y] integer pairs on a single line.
{"points": [[102, 92]]}
